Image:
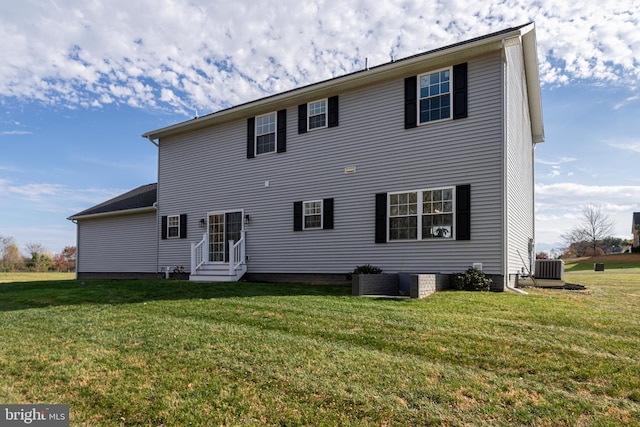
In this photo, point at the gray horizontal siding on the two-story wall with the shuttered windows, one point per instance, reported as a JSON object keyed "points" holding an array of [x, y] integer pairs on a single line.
{"points": [[207, 171]]}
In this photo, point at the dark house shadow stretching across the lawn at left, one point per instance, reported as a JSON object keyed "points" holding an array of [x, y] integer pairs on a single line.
{"points": [[26, 295]]}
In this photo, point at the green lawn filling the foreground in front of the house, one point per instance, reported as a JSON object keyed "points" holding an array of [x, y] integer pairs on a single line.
{"points": [[167, 353]]}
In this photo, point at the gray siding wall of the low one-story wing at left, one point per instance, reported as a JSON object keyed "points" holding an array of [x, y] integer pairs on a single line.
{"points": [[118, 244]]}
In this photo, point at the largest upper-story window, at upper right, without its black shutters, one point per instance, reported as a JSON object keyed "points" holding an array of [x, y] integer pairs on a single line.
{"points": [[435, 96]]}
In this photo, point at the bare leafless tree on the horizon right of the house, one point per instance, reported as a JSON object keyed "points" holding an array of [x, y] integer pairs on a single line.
{"points": [[595, 227]]}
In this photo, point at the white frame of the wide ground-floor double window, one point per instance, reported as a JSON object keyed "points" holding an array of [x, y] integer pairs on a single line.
{"points": [[419, 214]]}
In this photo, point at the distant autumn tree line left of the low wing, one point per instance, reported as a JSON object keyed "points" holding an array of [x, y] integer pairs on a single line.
{"points": [[37, 257]]}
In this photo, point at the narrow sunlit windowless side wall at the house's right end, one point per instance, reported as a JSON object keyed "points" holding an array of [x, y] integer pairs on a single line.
{"points": [[520, 174]]}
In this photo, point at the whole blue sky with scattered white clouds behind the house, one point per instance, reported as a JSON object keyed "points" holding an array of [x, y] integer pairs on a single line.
{"points": [[81, 80]]}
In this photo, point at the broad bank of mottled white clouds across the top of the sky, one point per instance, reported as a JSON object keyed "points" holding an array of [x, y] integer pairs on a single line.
{"points": [[213, 55]]}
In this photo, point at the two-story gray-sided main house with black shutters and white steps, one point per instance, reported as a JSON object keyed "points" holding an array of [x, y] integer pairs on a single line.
{"points": [[419, 165]]}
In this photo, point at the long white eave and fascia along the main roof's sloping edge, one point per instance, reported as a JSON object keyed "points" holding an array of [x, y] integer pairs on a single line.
{"points": [[335, 86]]}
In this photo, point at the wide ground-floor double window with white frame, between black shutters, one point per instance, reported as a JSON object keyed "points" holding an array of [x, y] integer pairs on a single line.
{"points": [[422, 214]]}
